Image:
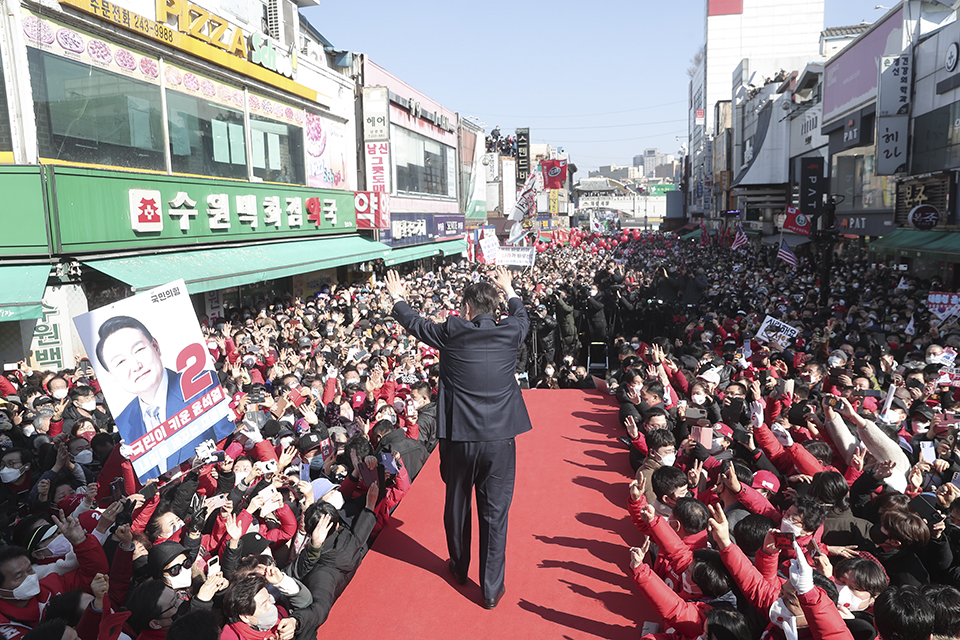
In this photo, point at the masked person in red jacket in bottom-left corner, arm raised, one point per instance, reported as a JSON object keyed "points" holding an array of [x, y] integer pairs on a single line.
{"points": [[23, 595]]}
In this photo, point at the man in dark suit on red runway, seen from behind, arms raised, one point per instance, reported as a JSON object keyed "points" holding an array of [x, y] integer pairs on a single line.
{"points": [[480, 411]]}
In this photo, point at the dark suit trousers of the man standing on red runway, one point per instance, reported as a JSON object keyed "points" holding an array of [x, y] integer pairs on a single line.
{"points": [[491, 468]]}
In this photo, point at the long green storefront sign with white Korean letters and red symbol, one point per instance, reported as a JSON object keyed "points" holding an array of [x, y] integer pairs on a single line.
{"points": [[95, 210]]}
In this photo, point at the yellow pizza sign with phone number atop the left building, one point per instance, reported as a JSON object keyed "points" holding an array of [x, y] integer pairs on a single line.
{"points": [[219, 54]]}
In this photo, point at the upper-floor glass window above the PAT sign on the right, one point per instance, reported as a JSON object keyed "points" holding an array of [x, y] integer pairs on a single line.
{"points": [[853, 176]]}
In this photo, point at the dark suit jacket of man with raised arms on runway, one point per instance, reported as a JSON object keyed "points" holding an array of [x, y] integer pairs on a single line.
{"points": [[478, 399]]}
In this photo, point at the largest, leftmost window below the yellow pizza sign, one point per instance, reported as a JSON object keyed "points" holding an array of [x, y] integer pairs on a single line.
{"points": [[89, 115]]}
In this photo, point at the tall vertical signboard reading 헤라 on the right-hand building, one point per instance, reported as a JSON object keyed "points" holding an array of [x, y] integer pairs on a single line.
{"points": [[893, 113]]}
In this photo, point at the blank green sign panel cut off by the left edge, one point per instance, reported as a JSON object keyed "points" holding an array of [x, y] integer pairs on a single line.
{"points": [[22, 214]]}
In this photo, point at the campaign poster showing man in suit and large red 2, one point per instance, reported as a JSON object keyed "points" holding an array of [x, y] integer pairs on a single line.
{"points": [[157, 377]]}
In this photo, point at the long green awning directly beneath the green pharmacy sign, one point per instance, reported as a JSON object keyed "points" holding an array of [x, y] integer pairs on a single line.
{"points": [[212, 269]]}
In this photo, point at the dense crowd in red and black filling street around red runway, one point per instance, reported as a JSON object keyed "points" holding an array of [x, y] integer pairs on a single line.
{"points": [[803, 490]]}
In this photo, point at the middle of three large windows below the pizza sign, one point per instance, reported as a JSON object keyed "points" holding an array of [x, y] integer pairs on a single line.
{"points": [[206, 138]]}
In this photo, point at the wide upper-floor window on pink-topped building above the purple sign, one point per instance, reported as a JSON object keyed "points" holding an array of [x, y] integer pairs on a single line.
{"points": [[423, 165]]}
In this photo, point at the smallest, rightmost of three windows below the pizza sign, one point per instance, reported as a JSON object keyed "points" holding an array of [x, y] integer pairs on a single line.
{"points": [[276, 150]]}
